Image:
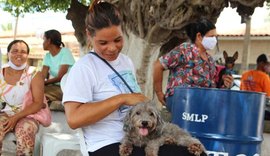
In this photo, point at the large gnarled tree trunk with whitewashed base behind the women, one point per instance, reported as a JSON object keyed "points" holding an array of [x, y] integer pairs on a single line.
{"points": [[154, 27]]}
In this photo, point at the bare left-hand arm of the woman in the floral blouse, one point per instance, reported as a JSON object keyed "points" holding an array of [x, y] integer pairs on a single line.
{"points": [[158, 78]]}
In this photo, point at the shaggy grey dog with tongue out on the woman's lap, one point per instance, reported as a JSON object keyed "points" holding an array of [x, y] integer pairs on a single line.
{"points": [[144, 127]]}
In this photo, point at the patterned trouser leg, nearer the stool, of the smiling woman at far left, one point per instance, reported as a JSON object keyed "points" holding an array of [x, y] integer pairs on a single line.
{"points": [[25, 132]]}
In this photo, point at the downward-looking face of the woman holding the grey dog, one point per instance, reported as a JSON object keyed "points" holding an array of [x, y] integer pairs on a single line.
{"points": [[108, 42]]}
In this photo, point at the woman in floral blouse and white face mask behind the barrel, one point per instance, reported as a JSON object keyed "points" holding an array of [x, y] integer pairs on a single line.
{"points": [[189, 63]]}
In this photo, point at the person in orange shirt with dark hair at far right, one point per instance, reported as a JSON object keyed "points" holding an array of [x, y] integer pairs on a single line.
{"points": [[258, 79]]}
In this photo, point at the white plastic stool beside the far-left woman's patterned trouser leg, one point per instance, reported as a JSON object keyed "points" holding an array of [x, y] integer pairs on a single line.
{"points": [[53, 143]]}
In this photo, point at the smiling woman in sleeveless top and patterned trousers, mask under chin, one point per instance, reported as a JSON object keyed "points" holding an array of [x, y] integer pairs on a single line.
{"points": [[15, 83]]}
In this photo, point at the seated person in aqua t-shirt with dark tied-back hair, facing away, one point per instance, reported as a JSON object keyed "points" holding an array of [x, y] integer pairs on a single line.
{"points": [[56, 64]]}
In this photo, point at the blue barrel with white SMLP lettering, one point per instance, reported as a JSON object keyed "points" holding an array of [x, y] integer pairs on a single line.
{"points": [[228, 123]]}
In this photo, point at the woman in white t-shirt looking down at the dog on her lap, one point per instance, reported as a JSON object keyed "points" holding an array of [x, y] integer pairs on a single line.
{"points": [[95, 98]]}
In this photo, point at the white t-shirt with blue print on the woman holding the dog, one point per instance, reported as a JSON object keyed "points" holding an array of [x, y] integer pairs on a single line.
{"points": [[90, 80]]}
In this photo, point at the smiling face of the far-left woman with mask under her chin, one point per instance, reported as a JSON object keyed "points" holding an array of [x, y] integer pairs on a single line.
{"points": [[18, 53]]}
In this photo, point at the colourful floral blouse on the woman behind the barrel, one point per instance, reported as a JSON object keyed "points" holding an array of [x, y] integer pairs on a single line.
{"points": [[188, 69]]}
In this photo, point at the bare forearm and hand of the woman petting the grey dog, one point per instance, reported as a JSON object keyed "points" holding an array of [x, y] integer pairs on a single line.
{"points": [[80, 115]]}
